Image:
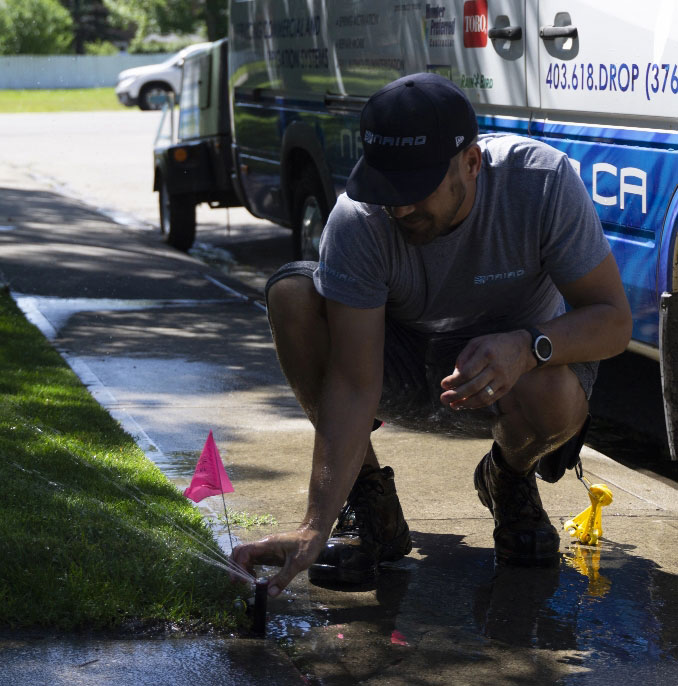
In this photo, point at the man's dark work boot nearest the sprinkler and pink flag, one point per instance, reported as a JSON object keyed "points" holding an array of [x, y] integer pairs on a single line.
{"points": [[371, 529]]}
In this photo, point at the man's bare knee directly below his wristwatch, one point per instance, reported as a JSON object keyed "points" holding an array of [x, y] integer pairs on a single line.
{"points": [[550, 401]]}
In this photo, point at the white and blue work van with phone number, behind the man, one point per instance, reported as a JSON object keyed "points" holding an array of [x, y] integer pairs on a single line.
{"points": [[598, 80]]}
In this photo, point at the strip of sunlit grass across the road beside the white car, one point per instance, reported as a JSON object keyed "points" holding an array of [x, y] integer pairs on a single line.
{"points": [[63, 100]]}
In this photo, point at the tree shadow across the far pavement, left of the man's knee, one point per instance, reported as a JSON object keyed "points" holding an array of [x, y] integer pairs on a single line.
{"points": [[78, 253]]}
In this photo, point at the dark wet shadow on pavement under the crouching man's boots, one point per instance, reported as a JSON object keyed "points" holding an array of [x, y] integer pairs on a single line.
{"points": [[452, 617]]}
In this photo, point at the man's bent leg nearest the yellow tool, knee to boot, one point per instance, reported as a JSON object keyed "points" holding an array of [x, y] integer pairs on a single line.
{"points": [[545, 409]]}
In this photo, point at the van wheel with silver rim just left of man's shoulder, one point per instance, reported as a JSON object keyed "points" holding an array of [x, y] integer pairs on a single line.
{"points": [[311, 215]]}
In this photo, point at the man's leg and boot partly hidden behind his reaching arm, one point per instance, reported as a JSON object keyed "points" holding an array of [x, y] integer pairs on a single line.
{"points": [[371, 526]]}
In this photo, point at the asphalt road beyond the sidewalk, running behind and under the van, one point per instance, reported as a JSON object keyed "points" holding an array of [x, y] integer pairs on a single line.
{"points": [[105, 159]]}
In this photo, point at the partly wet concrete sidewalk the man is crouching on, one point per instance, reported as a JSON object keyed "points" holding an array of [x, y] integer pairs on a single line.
{"points": [[173, 348]]}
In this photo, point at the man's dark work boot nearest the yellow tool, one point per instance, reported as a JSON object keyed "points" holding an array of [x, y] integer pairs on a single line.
{"points": [[523, 534]]}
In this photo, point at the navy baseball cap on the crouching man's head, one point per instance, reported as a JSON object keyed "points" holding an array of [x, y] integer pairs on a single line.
{"points": [[410, 130]]}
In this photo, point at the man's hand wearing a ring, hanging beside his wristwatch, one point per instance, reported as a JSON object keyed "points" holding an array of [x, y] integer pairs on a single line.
{"points": [[496, 360]]}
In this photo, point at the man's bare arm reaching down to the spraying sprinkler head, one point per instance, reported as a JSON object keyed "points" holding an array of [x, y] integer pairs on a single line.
{"points": [[351, 391]]}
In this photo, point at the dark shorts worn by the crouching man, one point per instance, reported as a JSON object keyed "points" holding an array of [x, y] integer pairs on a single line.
{"points": [[414, 364]]}
